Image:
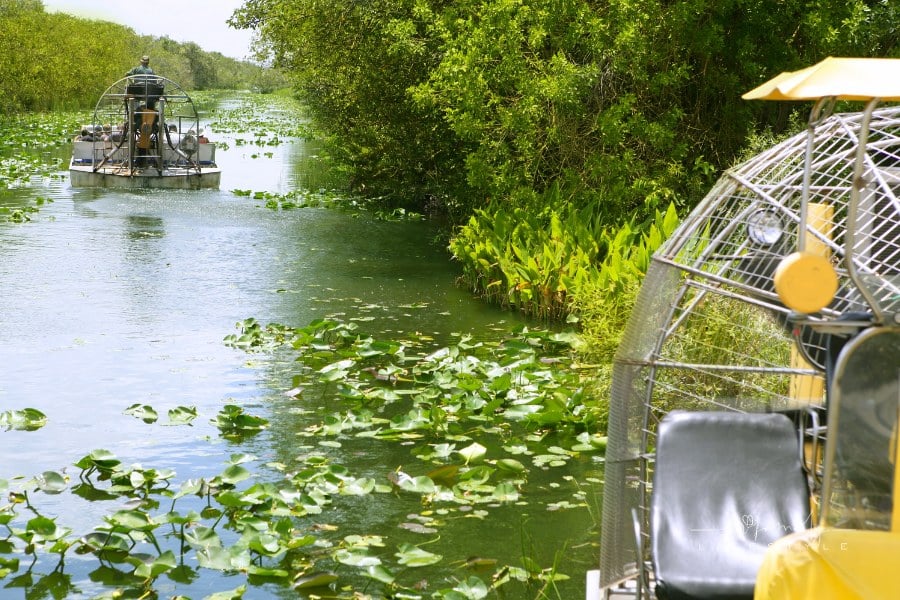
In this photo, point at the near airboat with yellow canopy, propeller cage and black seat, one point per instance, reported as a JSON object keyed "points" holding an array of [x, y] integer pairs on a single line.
{"points": [[756, 391]]}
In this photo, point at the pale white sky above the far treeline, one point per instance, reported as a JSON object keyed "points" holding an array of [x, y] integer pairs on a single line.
{"points": [[198, 21]]}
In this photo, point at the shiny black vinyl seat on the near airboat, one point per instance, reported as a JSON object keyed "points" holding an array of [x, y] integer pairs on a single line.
{"points": [[725, 486]]}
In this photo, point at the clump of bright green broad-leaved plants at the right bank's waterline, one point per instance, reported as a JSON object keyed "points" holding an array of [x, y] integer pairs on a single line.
{"points": [[538, 263]]}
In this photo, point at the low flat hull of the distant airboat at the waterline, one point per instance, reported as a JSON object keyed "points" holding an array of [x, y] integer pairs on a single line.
{"points": [[190, 179]]}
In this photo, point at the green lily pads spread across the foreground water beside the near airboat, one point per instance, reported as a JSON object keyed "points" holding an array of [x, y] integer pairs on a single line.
{"points": [[479, 419]]}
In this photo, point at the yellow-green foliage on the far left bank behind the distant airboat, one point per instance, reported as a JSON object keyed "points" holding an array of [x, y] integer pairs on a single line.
{"points": [[54, 60]]}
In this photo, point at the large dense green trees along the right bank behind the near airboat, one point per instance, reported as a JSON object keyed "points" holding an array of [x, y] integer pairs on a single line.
{"points": [[567, 111]]}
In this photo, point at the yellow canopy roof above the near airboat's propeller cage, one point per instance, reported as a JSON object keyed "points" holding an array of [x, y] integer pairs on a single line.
{"points": [[841, 78]]}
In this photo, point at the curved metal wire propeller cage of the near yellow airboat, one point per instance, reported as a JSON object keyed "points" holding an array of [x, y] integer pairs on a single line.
{"points": [[709, 332]]}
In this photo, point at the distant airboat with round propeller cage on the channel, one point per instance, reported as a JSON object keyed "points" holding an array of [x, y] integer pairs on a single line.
{"points": [[145, 134]]}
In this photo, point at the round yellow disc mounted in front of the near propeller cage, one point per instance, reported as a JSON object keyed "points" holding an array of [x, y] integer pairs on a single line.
{"points": [[805, 282]]}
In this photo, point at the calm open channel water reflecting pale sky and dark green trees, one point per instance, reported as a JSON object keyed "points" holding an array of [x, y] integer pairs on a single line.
{"points": [[113, 298]]}
